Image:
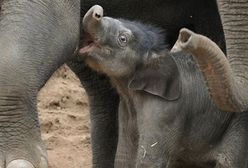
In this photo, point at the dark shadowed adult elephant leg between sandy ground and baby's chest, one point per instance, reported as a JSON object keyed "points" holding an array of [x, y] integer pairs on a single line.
{"points": [[103, 114]]}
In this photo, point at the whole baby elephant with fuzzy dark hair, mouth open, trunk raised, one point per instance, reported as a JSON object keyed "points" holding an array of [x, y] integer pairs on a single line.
{"points": [[166, 117]]}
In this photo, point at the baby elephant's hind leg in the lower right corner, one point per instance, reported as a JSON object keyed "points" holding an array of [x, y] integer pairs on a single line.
{"points": [[232, 152]]}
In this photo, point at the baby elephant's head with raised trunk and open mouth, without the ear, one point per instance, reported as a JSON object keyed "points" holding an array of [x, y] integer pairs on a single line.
{"points": [[116, 46]]}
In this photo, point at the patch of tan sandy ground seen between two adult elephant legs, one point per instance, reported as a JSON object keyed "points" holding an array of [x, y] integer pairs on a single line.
{"points": [[64, 117]]}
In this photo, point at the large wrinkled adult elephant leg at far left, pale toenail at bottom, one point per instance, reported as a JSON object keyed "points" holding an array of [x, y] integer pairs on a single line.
{"points": [[36, 37]]}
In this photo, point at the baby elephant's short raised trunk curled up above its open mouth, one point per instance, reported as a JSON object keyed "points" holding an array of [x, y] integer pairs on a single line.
{"points": [[92, 20]]}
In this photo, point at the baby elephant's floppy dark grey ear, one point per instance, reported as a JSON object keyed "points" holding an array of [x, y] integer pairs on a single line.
{"points": [[160, 77]]}
